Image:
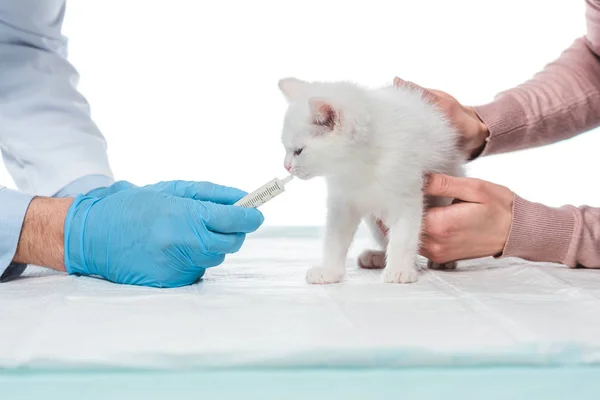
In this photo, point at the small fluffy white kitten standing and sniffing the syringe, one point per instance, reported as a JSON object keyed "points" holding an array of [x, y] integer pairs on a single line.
{"points": [[373, 147]]}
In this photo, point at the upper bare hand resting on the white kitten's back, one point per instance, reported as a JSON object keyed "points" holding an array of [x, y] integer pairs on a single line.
{"points": [[472, 129]]}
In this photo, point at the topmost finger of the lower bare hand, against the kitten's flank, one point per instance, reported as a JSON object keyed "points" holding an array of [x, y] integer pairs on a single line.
{"points": [[466, 189]]}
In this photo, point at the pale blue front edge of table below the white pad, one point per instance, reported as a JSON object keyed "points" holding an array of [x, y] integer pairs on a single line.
{"points": [[548, 383]]}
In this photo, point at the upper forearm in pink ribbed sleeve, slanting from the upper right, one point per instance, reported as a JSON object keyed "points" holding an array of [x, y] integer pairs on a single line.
{"points": [[560, 102]]}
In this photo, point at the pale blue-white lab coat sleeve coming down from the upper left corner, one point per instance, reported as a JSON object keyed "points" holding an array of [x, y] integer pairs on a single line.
{"points": [[47, 136]]}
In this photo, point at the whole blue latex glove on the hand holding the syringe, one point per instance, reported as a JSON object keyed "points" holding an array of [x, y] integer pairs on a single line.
{"points": [[162, 235]]}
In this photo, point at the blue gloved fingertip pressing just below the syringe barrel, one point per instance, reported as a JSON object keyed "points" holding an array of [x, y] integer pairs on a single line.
{"points": [[231, 219]]}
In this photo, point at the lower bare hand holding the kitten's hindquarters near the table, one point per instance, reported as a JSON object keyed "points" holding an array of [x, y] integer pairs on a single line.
{"points": [[476, 225]]}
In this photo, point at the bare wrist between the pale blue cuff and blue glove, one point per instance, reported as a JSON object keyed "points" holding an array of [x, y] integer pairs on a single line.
{"points": [[41, 241]]}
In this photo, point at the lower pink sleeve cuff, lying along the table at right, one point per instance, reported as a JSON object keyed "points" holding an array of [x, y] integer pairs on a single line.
{"points": [[566, 235]]}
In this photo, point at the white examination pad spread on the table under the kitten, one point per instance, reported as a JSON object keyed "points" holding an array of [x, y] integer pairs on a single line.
{"points": [[257, 310]]}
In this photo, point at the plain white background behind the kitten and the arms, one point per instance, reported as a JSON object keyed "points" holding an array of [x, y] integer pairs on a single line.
{"points": [[187, 89]]}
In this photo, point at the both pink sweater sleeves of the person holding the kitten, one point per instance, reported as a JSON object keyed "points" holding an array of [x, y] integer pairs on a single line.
{"points": [[558, 103]]}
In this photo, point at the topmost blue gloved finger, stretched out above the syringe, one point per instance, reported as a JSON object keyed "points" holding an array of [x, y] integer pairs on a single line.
{"points": [[204, 191]]}
